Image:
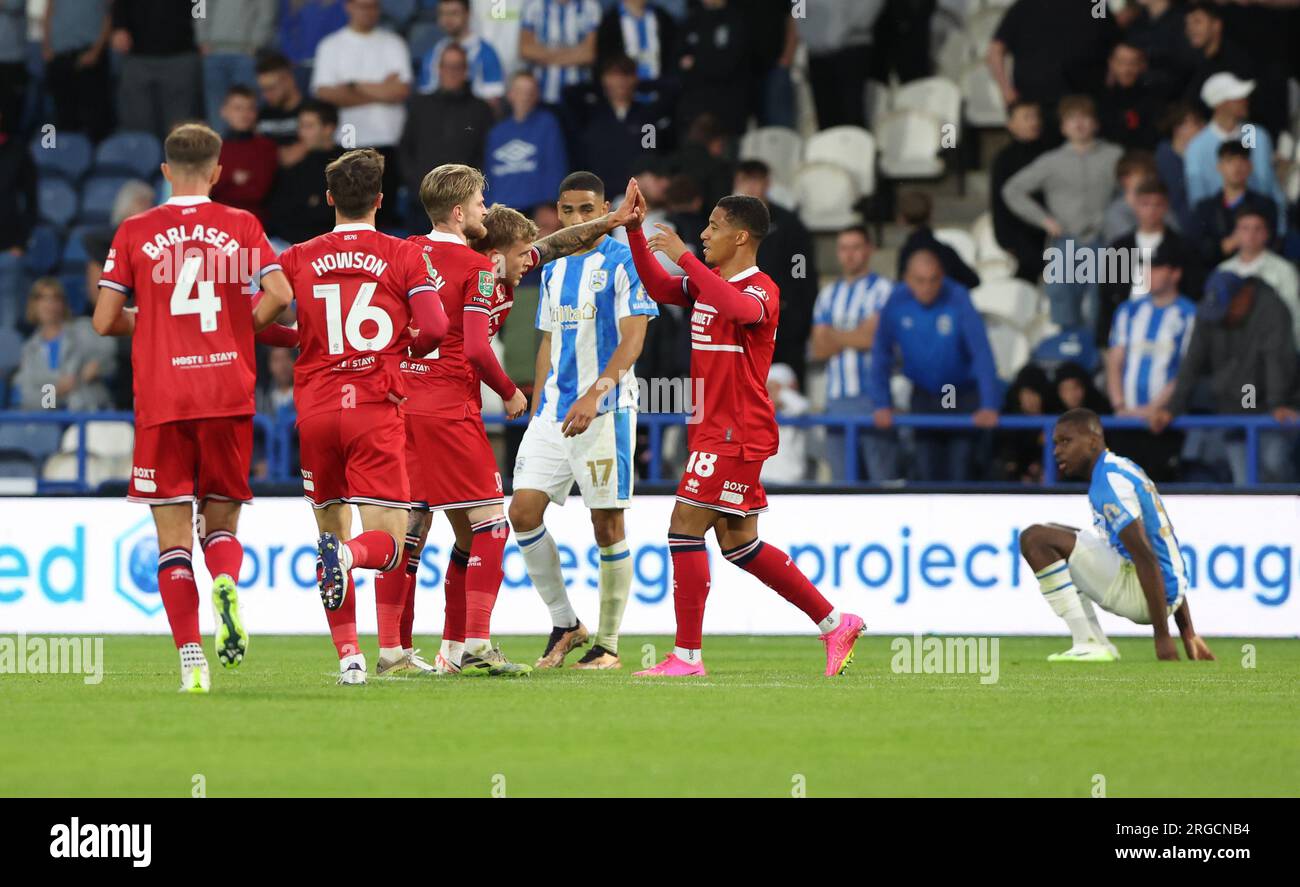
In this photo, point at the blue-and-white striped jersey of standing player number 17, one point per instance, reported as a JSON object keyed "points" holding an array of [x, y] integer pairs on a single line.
{"points": [[583, 300]]}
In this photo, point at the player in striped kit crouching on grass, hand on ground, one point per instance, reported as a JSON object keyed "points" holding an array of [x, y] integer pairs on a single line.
{"points": [[1128, 563]]}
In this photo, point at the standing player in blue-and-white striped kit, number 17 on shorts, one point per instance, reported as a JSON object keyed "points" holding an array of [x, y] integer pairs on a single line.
{"points": [[593, 314]]}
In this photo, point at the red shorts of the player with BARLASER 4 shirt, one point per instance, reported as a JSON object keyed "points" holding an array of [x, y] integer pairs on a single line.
{"points": [[193, 460]]}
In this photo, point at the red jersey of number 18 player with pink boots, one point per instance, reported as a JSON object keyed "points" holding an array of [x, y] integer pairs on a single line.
{"points": [[731, 361]]}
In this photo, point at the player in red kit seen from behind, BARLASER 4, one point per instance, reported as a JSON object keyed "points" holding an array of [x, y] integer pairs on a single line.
{"points": [[189, 263]]}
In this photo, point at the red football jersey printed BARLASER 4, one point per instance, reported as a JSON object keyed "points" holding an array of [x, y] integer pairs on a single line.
{"points": [[189, 263]]}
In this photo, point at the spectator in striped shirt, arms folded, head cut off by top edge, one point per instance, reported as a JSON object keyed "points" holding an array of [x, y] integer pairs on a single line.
{"points": [[560, 38]]}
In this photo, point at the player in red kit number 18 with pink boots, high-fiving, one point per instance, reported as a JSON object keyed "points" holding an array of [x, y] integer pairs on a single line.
{"points": [[734, 318]]}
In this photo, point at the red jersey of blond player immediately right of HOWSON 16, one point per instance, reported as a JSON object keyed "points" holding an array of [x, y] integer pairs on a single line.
{"points": [[444, 384]]}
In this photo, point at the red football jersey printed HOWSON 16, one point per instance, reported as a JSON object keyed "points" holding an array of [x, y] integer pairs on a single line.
{"points": [[353, 288]]}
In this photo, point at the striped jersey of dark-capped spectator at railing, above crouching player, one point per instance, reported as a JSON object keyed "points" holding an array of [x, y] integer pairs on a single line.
{"points": [[1155, 340]]}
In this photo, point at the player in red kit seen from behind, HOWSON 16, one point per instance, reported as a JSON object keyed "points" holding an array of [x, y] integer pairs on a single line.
{"points": [[359, 293]]}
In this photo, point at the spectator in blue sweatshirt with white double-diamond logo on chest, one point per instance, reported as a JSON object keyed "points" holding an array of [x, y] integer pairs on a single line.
{"points": [[526, 152]]}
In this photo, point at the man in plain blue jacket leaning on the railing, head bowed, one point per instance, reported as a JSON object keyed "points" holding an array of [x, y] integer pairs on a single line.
{"points": [[946, 354]]}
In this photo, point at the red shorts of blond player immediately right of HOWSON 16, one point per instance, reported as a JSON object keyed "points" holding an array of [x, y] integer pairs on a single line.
{"points": [[452, 464]]}
